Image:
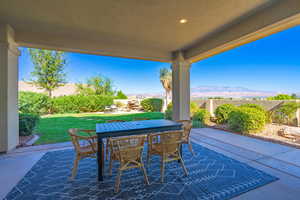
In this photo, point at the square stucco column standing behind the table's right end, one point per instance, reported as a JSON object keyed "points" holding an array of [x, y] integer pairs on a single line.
{"points": [[181, 88]]}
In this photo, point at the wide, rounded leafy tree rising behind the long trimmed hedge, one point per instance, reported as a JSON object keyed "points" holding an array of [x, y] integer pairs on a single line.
{"points": [[97, 85]]}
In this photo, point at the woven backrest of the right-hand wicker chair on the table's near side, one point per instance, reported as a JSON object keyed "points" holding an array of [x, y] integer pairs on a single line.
{"points": [[168, 142]]}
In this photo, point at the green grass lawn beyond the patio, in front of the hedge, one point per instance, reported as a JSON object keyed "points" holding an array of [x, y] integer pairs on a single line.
{"points": [[53, 128]]}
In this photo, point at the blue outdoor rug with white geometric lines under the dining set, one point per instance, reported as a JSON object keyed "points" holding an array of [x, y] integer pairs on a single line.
{"points": [[211, 176]]}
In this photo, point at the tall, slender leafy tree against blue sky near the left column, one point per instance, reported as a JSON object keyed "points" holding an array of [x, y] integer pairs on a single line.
{"points": [[48, 73]]}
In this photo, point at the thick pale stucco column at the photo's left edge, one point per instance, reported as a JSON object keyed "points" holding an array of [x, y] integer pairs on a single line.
{"points": [[9, 118]]}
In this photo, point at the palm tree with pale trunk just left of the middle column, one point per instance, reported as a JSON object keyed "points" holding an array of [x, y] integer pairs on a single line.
{"points": [[165, 76]]}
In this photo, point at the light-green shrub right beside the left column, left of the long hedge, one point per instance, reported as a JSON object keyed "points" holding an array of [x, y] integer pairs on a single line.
{"points": [[34, 103]]}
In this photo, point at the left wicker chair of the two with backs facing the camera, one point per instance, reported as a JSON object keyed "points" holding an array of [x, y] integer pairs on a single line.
{"points": [[128, 152]]}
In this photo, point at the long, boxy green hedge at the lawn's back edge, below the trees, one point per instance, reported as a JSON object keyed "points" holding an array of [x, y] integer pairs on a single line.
{"points": [[80, 103]]}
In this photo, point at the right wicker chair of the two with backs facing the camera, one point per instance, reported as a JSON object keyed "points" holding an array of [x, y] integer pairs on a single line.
{"points": [[167, 145]]}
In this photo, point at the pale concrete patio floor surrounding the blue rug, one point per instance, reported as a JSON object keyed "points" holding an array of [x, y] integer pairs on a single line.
{"points": [[275, 159]]}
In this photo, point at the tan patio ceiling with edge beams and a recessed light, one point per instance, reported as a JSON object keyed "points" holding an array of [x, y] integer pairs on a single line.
{"points": [[146, 29]]}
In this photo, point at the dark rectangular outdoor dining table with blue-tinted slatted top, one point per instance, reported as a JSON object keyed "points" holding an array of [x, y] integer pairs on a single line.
{"points": [[116, 129]]}
